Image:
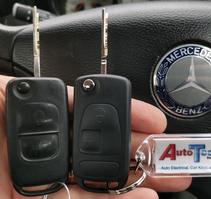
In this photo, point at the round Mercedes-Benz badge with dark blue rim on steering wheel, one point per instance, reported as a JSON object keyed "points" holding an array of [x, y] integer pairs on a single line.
{"points": [[182, 81]]}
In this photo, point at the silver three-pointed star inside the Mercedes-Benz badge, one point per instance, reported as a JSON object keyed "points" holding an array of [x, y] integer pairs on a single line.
{"points": [[191, 81]]}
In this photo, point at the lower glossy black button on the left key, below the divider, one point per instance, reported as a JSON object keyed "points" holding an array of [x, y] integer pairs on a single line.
{"points": [[39, 147]]}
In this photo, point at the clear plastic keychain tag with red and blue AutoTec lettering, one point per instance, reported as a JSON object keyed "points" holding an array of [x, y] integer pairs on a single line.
{"points": [[176, 155]]}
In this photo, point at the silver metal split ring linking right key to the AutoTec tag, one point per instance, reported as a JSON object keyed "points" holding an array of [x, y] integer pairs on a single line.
{"points": [[134, 184]]}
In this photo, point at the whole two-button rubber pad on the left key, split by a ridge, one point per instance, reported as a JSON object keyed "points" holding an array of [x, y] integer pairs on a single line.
{"points": [[38, 131]]}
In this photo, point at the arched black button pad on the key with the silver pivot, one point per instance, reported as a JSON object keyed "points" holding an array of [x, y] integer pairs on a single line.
{"points": [[99, 125]]}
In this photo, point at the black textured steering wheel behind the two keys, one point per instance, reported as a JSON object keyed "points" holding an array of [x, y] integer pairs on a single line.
{"points": [[140, 36]]}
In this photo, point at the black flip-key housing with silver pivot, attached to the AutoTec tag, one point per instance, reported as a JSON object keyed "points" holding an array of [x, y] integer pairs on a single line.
{"points": [[101, 138]]}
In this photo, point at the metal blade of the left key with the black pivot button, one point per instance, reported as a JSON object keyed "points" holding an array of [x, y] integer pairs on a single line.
{"points": [[36, 42]]}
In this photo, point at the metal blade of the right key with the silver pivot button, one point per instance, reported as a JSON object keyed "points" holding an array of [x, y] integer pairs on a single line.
{"points": [[104, 42]]}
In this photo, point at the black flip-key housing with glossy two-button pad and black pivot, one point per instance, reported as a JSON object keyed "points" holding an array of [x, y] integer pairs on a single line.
{"points": [[38, 135]]}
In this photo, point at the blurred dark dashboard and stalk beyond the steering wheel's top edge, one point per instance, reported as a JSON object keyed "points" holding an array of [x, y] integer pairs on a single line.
{"points": [[50, 8]]}
